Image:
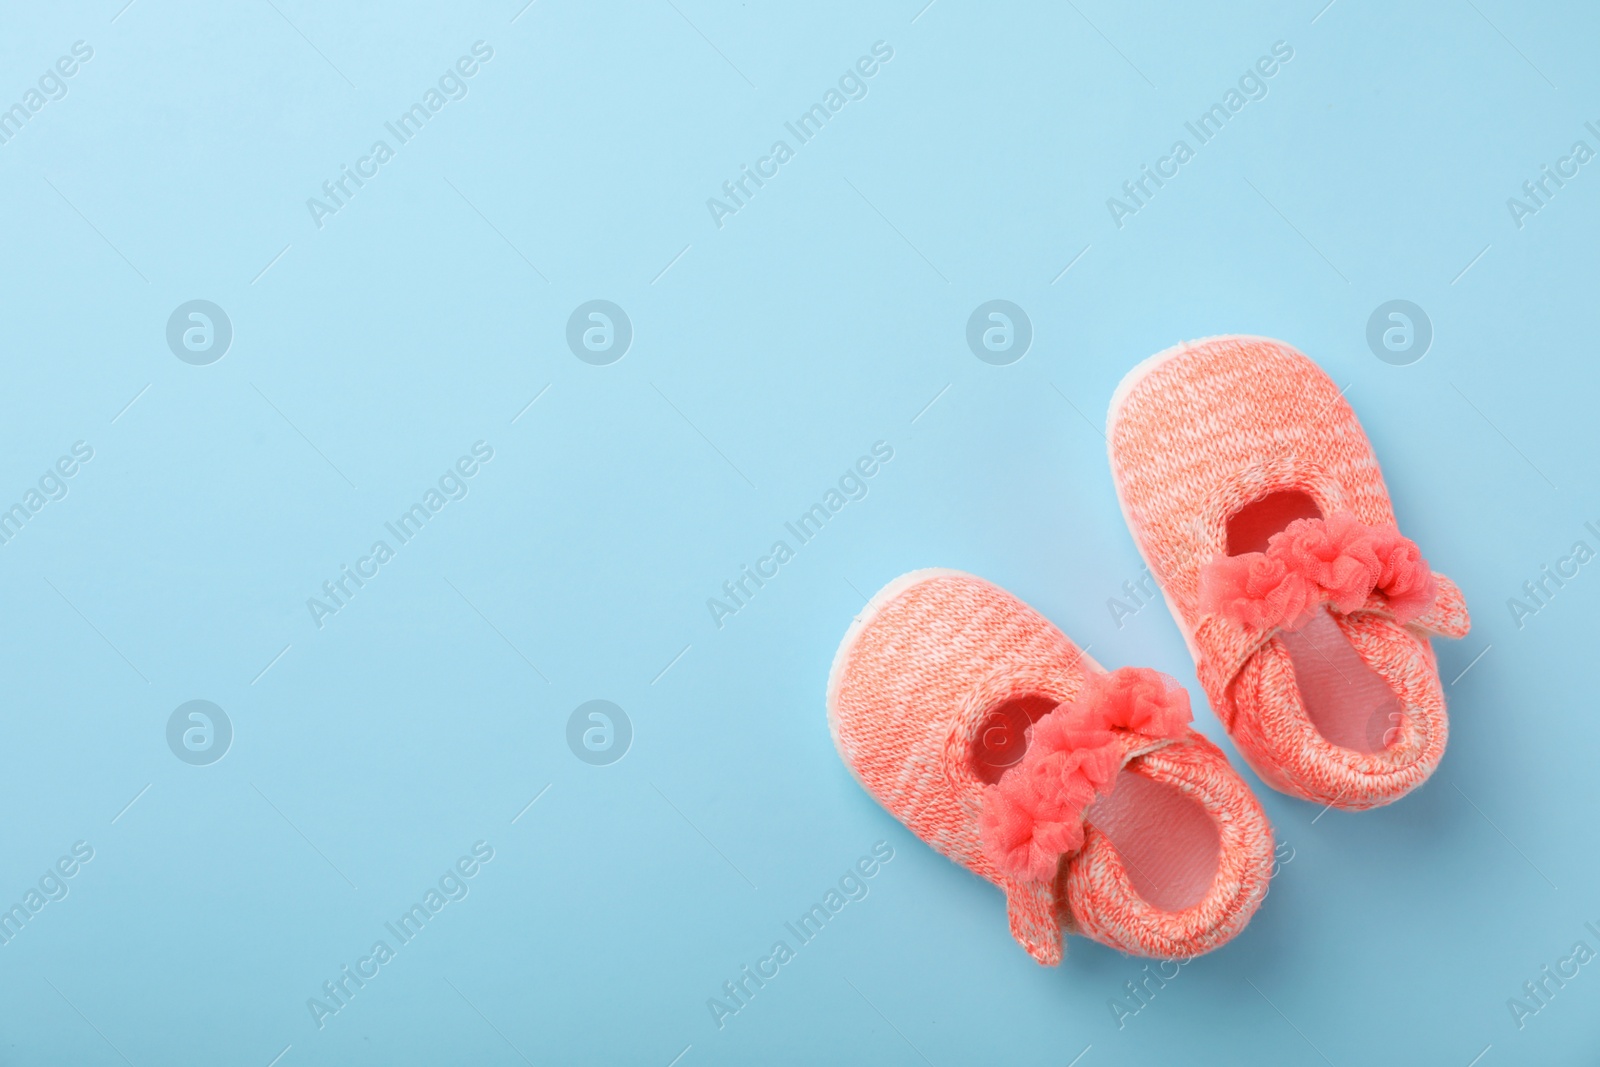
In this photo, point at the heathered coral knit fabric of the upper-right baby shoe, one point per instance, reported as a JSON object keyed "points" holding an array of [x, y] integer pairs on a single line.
{"points": [[1212, 430]]}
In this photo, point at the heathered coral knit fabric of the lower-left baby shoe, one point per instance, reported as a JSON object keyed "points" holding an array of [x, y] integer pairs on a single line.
{"points": [[913, 687]]}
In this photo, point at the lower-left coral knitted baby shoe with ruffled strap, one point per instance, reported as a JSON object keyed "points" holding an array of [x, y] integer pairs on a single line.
{"points": [[1082, 794]]}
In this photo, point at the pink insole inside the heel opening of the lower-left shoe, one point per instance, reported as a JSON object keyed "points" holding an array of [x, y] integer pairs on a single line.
{"points": [[1164, 836]]}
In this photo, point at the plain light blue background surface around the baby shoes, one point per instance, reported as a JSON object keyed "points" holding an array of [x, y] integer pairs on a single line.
{"points": [[769, 356]]}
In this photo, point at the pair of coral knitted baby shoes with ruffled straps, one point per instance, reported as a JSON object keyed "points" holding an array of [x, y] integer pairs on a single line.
{"points": [[1084, 794]]}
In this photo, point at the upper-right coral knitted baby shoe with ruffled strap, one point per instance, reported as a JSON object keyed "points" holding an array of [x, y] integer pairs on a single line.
{"points": [[1262, 513]]}
